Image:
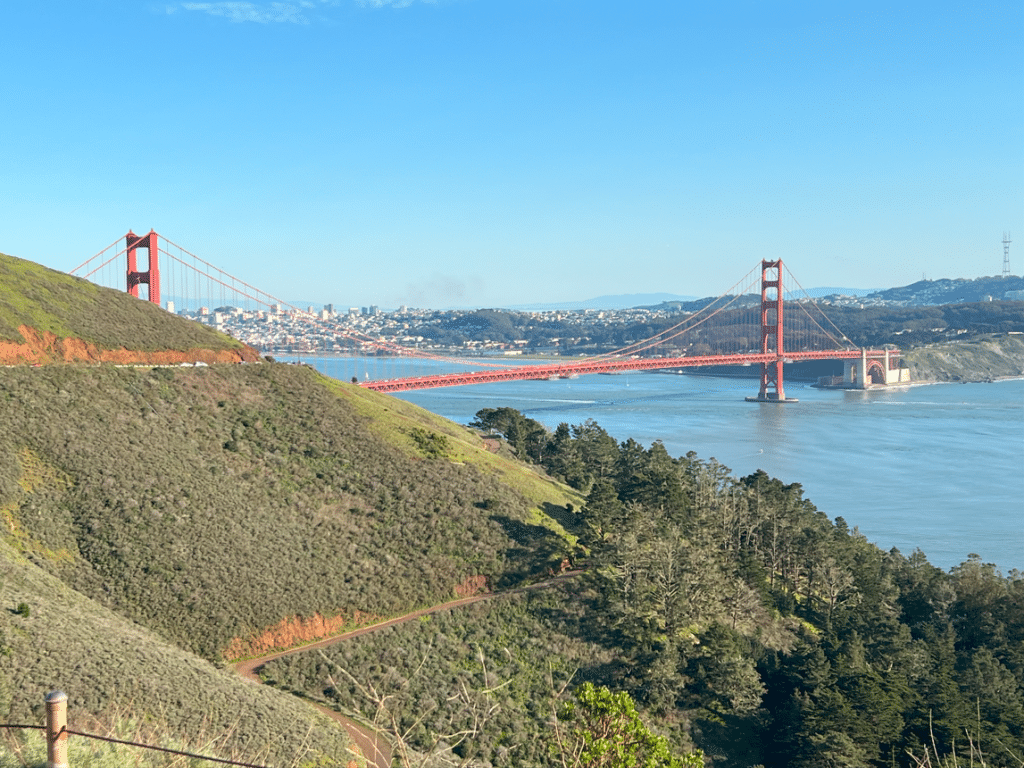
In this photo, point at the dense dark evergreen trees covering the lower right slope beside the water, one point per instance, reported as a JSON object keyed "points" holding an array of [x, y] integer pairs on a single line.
{"points": [[786, 638]]}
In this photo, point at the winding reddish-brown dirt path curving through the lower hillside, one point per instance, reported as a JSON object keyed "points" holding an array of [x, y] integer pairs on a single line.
{"points": [[372, 744]]}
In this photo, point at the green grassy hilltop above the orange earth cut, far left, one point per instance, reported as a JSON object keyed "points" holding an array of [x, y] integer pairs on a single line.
{"points": [[69, 308]]}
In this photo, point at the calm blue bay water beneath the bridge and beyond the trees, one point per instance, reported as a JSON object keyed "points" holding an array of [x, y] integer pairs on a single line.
{"points": [[938, 467]]}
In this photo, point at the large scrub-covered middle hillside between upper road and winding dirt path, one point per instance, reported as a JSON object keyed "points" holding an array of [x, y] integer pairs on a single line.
{"points": [[212, 504]]}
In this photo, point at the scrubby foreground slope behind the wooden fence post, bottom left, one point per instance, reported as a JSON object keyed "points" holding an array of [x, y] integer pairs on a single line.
{"points": [[115, 671]]}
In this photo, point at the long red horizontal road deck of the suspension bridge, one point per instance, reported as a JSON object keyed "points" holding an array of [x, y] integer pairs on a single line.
{"points": [[592, 366]]}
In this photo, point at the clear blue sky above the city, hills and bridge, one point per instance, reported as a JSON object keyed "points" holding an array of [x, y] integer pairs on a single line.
{"points": [[492, 153]]}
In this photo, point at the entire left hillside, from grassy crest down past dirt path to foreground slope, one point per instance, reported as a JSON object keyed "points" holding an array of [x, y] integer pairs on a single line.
{"points": [[159, 522]]}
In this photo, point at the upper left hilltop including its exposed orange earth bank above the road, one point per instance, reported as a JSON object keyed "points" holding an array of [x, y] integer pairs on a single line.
{"points": [[48, 317]]}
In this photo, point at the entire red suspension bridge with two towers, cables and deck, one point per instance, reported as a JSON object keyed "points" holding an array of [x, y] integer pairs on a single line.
{"points": [[756, 322]]}
